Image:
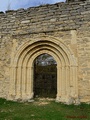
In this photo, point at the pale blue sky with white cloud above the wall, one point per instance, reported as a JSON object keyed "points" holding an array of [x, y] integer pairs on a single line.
{"points": [[17, 4]]}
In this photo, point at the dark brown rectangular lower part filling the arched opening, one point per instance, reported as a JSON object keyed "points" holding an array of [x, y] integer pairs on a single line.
{"points": [[45, 81]]}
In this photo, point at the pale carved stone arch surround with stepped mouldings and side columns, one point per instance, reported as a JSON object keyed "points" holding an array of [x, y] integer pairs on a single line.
{"points": [[22, 68]]}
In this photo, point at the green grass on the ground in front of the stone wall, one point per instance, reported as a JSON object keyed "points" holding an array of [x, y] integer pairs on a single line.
{"points": [[37, 111]]}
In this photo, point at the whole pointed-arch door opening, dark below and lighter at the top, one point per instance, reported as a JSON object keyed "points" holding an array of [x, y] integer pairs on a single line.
{"points": [[45, 76]]}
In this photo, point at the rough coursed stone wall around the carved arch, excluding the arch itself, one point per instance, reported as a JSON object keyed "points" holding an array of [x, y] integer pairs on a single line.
{"points": [[68, 21]]}
